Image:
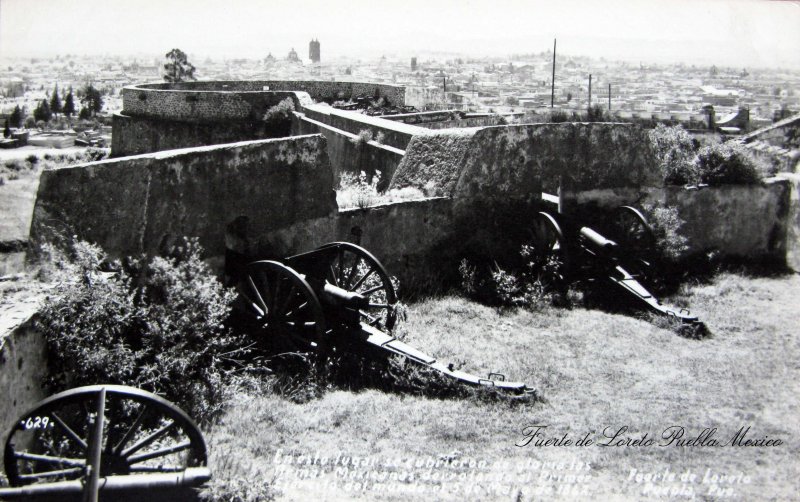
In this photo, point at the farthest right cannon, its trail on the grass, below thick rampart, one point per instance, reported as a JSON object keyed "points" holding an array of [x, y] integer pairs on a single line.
{"points": [[624, 256]]}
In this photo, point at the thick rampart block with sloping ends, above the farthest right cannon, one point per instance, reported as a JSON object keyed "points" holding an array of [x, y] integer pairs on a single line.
{"points": [[521, 161]]}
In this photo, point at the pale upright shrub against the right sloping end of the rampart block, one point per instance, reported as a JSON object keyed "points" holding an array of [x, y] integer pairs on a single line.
{"points": [[676, 152]]}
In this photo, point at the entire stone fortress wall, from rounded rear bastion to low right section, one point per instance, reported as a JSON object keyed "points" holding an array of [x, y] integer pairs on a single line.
{"points": [[492, 176]]}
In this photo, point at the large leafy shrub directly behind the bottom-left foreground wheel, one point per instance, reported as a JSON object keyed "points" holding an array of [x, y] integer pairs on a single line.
{"points": [[155, 325]]}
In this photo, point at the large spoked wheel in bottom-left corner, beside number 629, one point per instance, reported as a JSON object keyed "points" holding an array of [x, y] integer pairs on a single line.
{"points": [[139, 433]]}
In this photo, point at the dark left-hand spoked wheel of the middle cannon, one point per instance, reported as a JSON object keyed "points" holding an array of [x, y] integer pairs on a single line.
{"points": [[283, 302]]}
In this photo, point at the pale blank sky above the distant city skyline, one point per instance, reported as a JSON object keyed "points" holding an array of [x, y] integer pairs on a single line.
{"points": [[753, 33]]}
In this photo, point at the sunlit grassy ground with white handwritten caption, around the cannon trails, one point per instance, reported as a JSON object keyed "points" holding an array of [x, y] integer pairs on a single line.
{"points": [[595, 370]]}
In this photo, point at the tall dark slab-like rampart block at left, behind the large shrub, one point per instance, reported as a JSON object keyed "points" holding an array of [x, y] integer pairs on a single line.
{"points": [[146, 203]]}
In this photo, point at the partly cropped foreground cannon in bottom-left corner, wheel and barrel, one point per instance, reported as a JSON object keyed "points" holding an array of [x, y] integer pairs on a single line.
{"points": [[103, 442]]}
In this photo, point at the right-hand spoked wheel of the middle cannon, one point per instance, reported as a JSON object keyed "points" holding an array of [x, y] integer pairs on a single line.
{"points": [[355, 269]]}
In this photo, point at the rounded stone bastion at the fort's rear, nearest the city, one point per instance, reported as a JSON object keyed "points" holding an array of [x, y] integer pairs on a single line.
{"points": [[162, 116]]}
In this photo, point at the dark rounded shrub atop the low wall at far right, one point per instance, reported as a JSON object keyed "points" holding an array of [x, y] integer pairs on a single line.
{"points": [[728, 163]]}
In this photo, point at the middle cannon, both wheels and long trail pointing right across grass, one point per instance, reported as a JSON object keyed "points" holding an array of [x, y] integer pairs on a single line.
{"points": [[339, 297]]}
